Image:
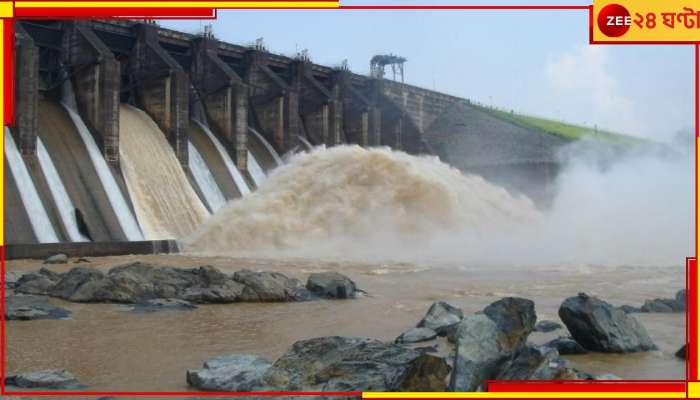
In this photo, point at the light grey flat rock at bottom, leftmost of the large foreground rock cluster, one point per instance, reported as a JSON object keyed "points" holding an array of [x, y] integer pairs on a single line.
{"points": [[231, 373]]}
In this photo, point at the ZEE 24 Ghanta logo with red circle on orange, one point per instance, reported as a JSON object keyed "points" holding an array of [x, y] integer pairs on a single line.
{"points": [[614, 20]]}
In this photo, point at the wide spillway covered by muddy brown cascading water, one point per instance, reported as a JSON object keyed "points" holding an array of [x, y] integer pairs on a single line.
{"points": [[167, 207]]}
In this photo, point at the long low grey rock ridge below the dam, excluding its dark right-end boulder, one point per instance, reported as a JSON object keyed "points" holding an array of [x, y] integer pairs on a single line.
{"points": [[137, 283]]}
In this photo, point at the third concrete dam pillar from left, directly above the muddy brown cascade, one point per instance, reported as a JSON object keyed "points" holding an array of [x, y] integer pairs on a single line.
{"points": [[162, 88]]}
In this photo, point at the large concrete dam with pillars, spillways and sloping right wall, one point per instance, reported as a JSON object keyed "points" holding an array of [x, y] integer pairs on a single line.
{"points": [[129, 132]]}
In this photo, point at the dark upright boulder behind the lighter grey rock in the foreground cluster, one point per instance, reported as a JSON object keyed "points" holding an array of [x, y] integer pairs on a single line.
{"points": [[515, 317]]}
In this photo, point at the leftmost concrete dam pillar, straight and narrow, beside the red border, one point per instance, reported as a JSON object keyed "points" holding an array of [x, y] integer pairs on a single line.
{"points": [[26, 93]]}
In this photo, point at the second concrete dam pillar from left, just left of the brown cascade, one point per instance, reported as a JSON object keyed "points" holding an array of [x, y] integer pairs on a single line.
{"points": [[95, 74]]}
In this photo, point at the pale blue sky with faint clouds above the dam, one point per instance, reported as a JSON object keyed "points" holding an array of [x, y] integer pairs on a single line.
{"points": [[531, 61]]}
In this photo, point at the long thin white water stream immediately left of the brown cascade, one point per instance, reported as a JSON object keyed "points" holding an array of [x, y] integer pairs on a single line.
{"points": [[127, 221]]}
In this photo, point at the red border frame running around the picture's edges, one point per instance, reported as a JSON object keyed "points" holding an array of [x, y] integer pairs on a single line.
{"points": [[494, 386]]}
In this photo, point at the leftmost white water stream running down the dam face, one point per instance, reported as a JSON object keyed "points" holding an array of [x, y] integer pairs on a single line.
{"points": [[41, 224]]}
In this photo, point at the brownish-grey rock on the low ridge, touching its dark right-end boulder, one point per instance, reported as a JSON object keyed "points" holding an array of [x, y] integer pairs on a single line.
{"points": [[270, 286]]}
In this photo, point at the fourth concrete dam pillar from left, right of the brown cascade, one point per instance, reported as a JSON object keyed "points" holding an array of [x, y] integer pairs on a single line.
{"points": [[224, 97]]}
